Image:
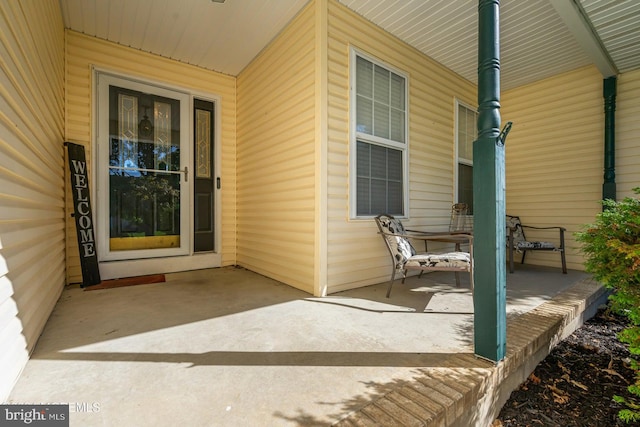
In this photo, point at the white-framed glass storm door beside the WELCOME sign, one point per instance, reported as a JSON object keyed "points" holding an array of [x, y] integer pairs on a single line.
{"points": [[143, 153]]}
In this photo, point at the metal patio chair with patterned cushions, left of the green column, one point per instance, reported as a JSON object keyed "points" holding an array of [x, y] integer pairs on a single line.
{"points": [[404, 257]]}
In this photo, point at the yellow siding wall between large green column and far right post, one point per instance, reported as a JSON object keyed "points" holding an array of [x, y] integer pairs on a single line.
{"points": [[554, 156]]}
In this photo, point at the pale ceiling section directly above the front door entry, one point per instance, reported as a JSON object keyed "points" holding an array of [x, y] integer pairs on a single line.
{"points": [[223, 37]]}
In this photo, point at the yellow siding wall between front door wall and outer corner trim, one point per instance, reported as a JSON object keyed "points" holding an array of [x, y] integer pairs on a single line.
{"points": [[276, 157]]}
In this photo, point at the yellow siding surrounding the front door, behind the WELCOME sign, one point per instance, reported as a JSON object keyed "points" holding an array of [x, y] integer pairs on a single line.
{"points": [[84, 52]]}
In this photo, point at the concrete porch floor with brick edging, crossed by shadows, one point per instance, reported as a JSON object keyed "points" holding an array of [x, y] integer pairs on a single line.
{"points": [[228, 347]]}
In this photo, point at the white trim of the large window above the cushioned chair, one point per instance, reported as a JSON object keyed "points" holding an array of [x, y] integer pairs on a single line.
{"points": [[354, 136]]}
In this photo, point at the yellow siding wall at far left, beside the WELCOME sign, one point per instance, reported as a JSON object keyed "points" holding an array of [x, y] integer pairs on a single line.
{"points": [[32, 262]]}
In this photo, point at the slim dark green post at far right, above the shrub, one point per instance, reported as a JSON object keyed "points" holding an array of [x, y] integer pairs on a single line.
{"points": [[609, 94]]}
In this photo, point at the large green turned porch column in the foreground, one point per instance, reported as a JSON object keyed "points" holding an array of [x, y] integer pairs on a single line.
{"points": [[489, 299]]}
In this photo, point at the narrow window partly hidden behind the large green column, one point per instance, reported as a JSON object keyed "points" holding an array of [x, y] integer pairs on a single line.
{"points": [[466, 133]]}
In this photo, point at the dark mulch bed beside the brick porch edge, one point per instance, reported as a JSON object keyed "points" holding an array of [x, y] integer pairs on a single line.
{"points": [[575, 384]]}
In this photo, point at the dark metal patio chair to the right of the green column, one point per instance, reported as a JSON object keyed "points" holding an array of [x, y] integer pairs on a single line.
{"points": [[516, 241]]}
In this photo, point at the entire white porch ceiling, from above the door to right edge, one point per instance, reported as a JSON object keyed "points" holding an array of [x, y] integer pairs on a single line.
{"points": [[539, 38]]}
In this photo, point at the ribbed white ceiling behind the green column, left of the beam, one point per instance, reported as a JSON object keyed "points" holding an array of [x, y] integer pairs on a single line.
{"points": [[535, 42]]}
